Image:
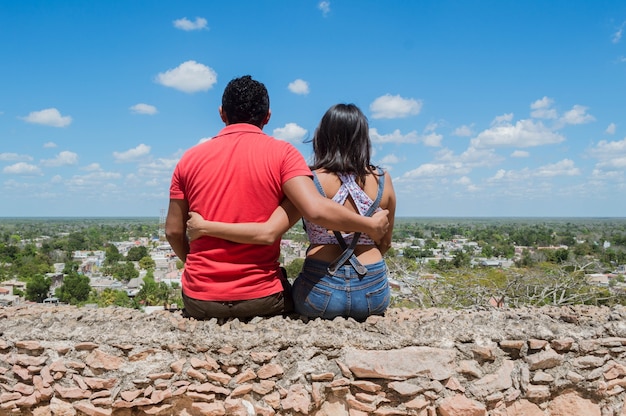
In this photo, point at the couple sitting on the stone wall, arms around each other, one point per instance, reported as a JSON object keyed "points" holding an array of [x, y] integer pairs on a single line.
{"points": [[232, 198]]}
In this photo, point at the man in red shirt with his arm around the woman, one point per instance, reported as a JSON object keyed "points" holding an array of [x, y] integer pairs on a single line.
{"points": [[242, 175]]}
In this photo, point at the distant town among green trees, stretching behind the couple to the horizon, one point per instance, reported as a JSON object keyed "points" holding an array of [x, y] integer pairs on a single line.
{"points": [[431, 263]]}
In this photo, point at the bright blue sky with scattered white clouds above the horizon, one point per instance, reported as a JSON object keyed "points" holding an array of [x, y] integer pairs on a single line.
{"points": [[477, 108]]}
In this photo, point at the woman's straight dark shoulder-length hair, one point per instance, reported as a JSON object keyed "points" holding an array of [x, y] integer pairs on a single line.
{"points": [[341, 143]]}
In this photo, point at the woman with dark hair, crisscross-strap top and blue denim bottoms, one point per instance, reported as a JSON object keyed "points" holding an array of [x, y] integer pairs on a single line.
{"points": [[330, 285]]}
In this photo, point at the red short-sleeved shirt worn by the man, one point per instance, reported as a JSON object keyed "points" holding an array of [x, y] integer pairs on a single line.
{"points": [[235, 177]]}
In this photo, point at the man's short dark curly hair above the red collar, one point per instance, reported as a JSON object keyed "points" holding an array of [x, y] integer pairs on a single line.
{"points": [[245, 101]]}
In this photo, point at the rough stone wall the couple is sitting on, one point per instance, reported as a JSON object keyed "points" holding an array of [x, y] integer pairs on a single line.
{"points": [[61, 360]]}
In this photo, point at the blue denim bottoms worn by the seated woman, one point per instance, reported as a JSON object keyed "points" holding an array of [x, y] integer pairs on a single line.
{"points": [[318, 294]]}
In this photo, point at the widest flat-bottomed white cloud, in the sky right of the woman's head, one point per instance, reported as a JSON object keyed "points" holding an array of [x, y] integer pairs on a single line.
{"points": [[524, 133]]}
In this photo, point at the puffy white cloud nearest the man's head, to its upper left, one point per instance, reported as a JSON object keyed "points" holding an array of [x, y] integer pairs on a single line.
{"points": [[190, 77]]}
